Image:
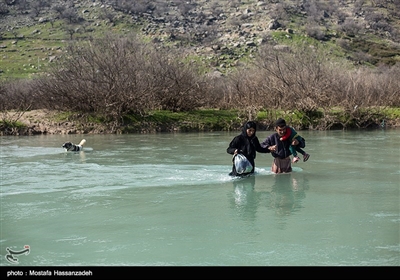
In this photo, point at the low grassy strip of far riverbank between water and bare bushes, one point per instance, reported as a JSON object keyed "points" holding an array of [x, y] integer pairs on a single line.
{"points": [[36, 122]]}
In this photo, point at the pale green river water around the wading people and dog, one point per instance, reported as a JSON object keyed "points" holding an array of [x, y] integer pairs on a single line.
{"points": [[167, 200]]}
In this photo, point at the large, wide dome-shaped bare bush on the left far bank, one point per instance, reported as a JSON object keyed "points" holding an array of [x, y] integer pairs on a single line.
{"points": [[115, 76]]}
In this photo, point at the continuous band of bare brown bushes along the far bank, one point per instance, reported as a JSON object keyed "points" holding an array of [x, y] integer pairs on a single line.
{"points": [[115, 77]]}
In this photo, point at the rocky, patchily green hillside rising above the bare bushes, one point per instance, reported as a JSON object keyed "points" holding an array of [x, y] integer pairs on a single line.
{"points": [[219, 33]]}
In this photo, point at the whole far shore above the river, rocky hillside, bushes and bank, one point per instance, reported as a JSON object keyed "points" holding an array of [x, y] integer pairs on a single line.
{"points": [[150, 66]]}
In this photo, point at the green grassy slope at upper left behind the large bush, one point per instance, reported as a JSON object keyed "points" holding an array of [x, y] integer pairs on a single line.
{"points": [[29, 51]]}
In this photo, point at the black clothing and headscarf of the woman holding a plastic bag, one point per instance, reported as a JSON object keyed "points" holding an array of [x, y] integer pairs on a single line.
{"points": [[248, 146]]}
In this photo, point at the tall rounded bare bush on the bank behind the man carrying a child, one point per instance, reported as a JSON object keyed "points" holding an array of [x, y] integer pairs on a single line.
{"points": [[300, 81]]}
